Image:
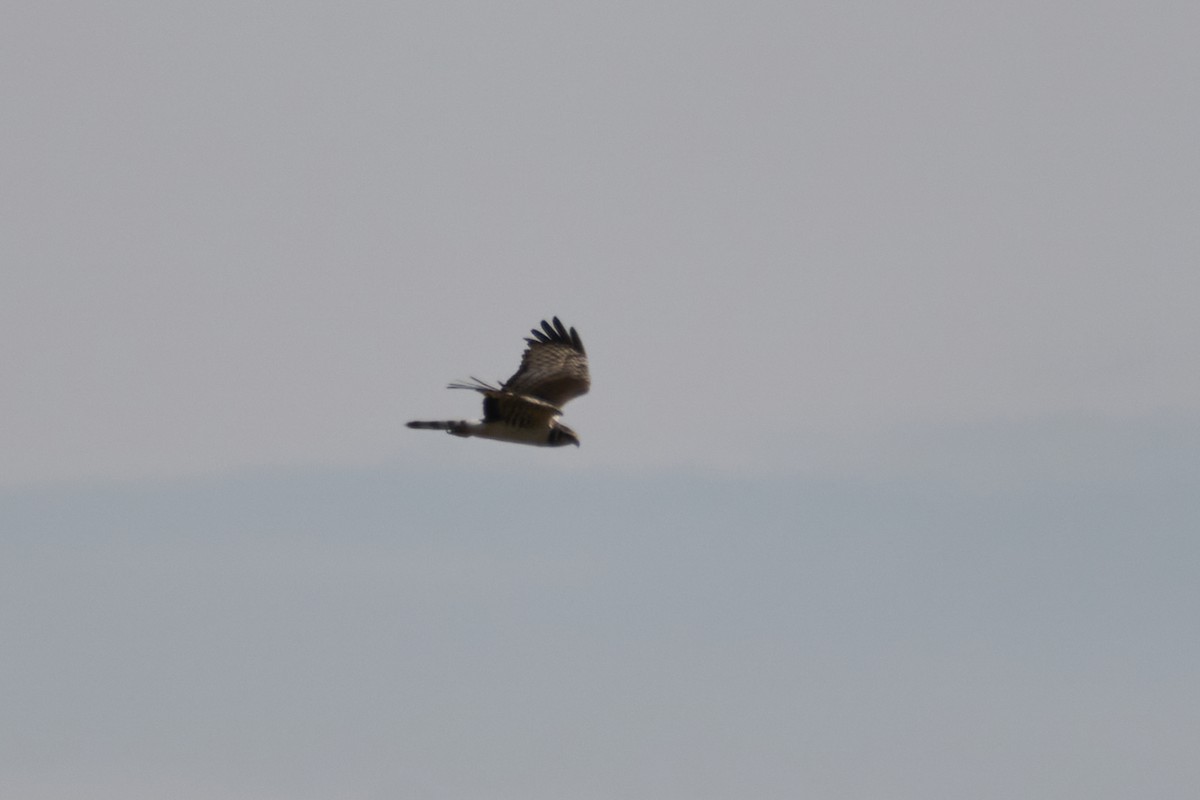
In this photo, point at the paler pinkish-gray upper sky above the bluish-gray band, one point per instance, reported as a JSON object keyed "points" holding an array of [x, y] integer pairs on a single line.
{"points": [[242, 238]]}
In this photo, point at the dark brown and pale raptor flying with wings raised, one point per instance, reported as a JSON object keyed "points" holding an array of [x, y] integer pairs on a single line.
{"points": [[525, 410]]}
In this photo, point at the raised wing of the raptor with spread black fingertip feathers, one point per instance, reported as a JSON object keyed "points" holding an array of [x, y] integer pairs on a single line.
{"points": [[554, 369]]}
